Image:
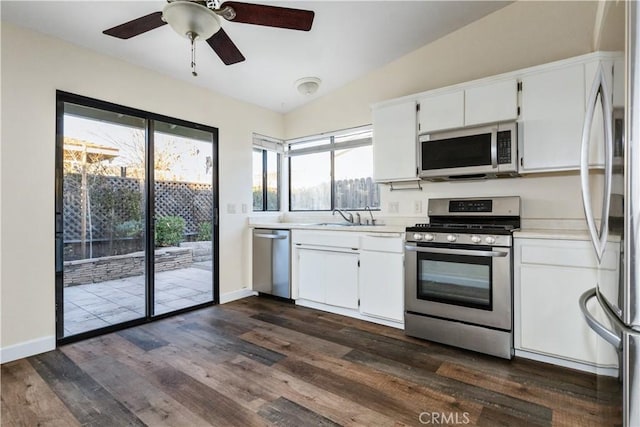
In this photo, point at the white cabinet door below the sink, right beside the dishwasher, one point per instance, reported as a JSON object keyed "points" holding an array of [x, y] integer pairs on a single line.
{"points": [[328, 277]]}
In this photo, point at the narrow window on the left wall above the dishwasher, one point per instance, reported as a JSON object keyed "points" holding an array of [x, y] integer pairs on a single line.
{"points": [[266, 174]]}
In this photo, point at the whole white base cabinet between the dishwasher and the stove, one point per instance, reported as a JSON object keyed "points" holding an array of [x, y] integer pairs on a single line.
{"points": [[354, 274]]}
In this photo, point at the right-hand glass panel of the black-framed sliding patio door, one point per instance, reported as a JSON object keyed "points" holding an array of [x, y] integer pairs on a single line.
{"points": [[183, 217]]}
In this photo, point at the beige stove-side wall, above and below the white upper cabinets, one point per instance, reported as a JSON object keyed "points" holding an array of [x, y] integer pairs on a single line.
{"points": [[520, 35]]}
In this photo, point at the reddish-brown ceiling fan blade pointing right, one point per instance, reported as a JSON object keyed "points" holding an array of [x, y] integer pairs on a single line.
{"points": [[271, 16]]}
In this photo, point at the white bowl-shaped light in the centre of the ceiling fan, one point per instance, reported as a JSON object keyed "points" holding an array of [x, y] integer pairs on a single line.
{"points": [[188, 18]]}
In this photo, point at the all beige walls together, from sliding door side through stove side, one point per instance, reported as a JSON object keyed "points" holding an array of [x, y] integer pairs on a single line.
{"points": [[34, 66]]}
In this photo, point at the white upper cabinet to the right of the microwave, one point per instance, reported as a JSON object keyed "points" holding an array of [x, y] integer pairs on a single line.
{"points": [[553, 106]]}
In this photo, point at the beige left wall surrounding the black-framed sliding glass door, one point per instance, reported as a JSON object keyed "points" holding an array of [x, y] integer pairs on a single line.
{"points": [[33, 67]]}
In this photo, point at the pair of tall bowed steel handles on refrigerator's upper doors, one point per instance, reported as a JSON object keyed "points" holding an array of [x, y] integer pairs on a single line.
{"points": [[599, 87]]}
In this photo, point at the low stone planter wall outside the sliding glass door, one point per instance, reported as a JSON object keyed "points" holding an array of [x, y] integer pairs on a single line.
{"points": [[96, 270]]}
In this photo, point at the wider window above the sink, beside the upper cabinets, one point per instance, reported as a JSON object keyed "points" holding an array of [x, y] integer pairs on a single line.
{"points": [[333, 171]]}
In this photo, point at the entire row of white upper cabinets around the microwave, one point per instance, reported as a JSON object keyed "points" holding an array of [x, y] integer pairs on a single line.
{"points": [[550, 111]]}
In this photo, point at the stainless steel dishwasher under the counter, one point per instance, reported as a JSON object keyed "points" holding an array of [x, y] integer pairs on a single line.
{"points": [[272, 262]]}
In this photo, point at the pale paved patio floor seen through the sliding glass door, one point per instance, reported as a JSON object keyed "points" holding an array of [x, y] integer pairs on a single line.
{"points": [[96, 305]]}
